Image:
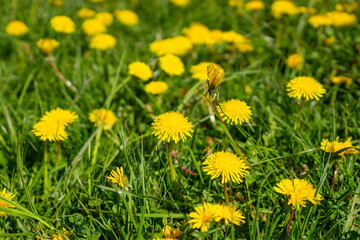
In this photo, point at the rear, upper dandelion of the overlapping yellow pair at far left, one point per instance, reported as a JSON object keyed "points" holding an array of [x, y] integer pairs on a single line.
{"points": [[60, 116]]}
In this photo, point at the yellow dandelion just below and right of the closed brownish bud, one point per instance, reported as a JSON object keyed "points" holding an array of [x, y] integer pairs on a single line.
{"points": [[235, 111]]}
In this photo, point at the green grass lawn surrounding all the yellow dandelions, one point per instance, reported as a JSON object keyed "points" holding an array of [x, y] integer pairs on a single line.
{"points": [[81, 199]]}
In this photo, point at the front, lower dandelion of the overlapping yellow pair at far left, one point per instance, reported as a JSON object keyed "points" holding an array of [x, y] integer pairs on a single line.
{"points": [[49, 130]]}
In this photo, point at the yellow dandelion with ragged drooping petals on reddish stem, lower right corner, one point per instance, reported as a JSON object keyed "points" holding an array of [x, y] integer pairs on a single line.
{"points": [[298, 191]]}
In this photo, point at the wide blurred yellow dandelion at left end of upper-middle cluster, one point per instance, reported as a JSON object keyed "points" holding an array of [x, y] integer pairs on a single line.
{"points": [[177, 45]]}
